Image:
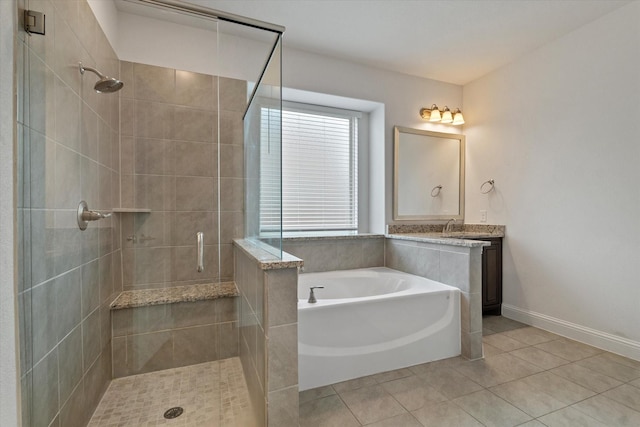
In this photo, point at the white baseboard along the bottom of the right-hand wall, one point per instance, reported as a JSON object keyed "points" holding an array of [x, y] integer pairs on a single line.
{"points": [[612, 343]]}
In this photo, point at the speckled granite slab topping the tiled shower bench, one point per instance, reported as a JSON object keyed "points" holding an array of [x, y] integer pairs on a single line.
{"points": [[146, 297]]}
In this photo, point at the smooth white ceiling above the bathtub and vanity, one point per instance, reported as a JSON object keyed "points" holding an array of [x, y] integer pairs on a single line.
{"points": [[455, 41]]}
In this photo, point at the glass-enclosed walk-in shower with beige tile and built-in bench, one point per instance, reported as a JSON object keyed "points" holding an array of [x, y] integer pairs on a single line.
{"points": [[170, 154]]}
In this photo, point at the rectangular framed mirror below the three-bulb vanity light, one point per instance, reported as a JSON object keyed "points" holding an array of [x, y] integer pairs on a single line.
{"points": [[428, 178]]}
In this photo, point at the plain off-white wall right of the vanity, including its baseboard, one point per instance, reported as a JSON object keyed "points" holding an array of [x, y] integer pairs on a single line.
{"points": [[566, 184]]}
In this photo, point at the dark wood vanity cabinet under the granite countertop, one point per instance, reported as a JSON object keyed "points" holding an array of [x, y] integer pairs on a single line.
{"points": [[492, 276]]}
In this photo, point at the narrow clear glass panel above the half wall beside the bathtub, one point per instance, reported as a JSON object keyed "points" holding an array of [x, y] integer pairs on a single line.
{"points": [[263, 158]]}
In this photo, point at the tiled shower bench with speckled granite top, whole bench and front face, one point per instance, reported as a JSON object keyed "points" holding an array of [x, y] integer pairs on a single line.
{"points": [[155, 329]]}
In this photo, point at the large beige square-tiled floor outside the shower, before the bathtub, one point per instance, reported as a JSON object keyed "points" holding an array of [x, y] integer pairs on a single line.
{"points": [[529, 377]]}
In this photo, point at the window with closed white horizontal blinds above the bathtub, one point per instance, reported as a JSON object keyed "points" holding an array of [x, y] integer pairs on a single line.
{"points": [[319, 171]]}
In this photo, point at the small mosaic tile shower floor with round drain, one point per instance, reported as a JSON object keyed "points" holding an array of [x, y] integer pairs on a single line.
{"points": [[211, 394]]}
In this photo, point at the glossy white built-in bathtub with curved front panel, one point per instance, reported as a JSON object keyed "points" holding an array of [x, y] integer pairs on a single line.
{"points": [[372, 320]]}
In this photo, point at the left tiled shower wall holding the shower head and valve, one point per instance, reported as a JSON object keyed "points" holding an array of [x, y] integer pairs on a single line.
{"points": [[73, 148]]}
